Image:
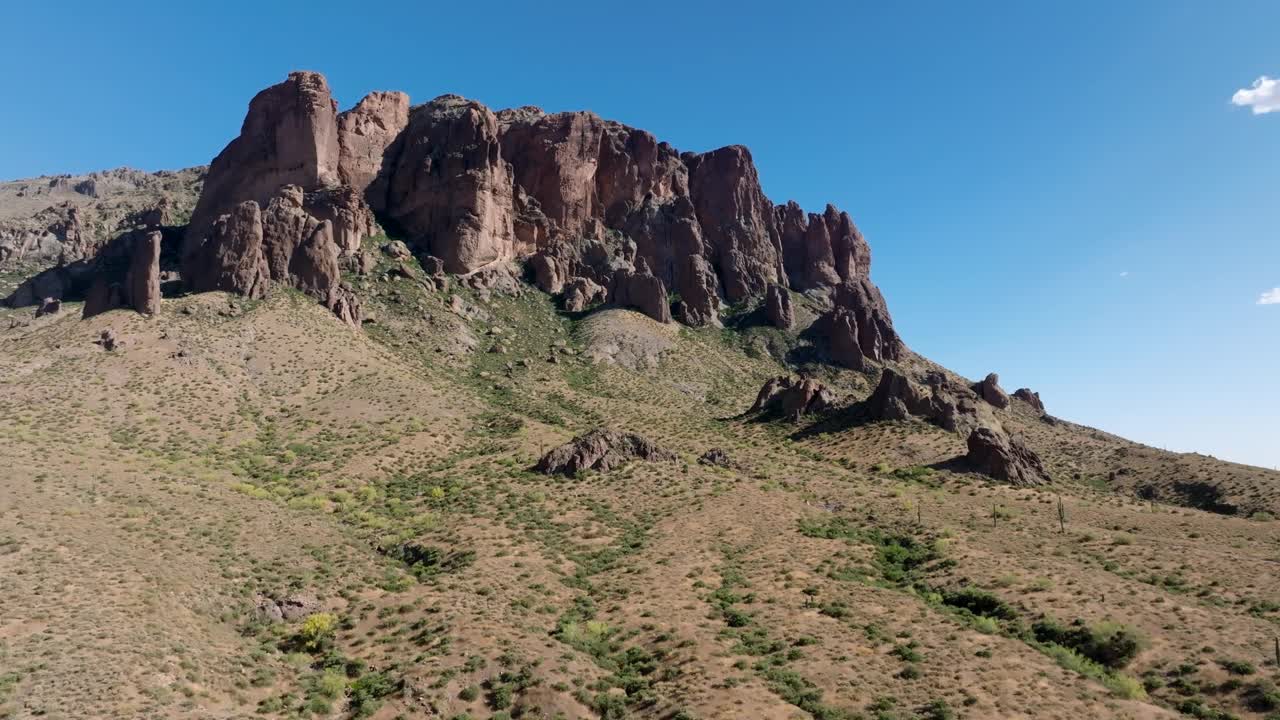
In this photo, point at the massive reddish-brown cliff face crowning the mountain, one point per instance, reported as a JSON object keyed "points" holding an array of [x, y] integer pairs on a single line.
{"points": [[673, 235]]}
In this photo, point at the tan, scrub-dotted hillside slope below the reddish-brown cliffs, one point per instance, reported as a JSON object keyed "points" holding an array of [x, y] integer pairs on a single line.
{"points": [[234, 450]]}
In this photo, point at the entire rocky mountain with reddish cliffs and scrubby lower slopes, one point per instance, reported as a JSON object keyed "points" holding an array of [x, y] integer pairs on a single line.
{"points": [[441, 412]]}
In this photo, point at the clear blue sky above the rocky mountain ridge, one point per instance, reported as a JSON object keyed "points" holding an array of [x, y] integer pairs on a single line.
{"points": [[1060, 193]]}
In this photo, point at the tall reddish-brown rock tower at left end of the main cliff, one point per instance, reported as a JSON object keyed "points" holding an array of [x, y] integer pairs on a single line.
{"points": [[273, 189]]}
